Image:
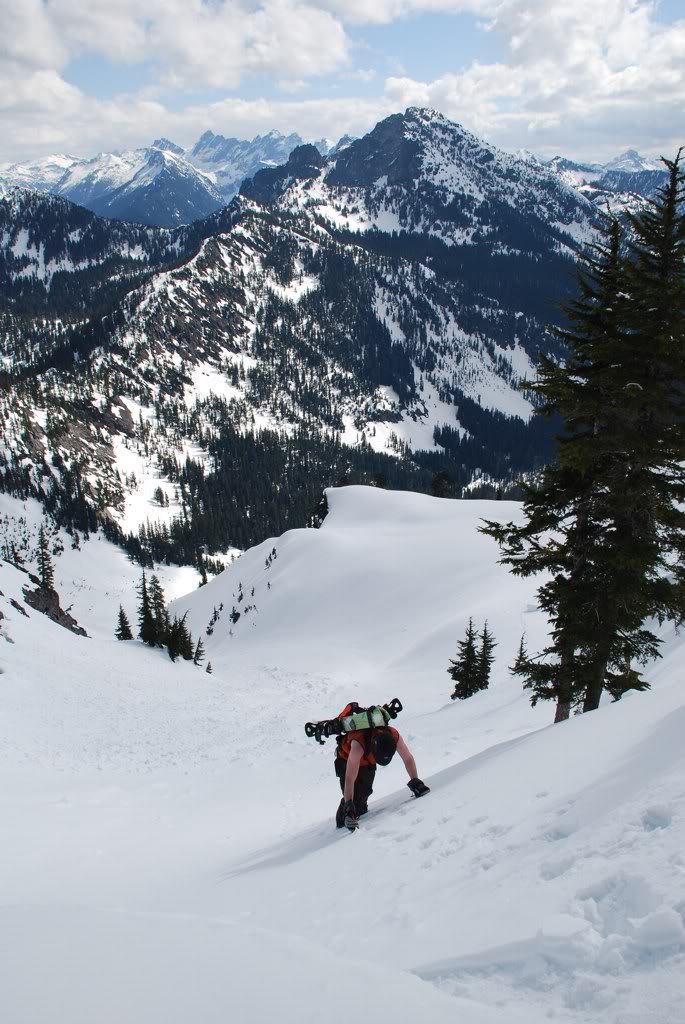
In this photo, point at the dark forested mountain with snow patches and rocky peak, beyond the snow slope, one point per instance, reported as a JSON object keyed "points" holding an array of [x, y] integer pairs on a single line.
{"points": [[363, 317]]}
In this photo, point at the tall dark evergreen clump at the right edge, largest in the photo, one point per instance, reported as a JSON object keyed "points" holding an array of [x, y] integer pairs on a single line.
{"points": [[607, 522]]}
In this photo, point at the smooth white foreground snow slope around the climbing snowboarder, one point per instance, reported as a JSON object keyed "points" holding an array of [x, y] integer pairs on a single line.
{"points": [[170, 850]]}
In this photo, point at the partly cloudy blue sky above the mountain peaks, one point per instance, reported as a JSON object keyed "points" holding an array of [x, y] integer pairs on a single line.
{"points": [[587, 79]]}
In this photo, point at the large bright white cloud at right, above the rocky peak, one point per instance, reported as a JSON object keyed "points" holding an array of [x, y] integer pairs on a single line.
{"points": [[584, 78]]}
